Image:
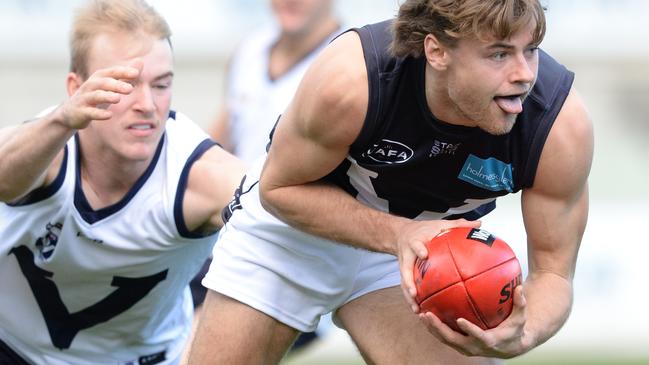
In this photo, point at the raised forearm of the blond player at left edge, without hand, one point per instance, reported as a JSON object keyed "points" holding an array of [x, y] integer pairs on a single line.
{"points": [[26, 151]]}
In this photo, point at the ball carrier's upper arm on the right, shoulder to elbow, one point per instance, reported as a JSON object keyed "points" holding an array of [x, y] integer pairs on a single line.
{"points": [[568, 152]]}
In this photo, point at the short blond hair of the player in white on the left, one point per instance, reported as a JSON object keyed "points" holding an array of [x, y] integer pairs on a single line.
{"points": [[111, 16]]}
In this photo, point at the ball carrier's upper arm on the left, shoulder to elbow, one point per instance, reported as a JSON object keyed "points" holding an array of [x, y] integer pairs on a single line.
{"points": [[325, 117]]}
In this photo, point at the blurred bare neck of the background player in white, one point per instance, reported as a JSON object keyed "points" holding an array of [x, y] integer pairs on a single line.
{"points": [[291, 48]]}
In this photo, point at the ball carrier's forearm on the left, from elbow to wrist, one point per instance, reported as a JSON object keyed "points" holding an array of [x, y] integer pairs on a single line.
{"points": [[327, 211]]}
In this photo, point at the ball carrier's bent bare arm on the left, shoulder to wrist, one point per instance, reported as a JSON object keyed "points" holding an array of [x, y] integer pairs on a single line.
{"points": [[312, 138]]}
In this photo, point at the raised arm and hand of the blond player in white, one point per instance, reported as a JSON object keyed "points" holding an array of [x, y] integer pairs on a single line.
{"points": [[28, 152]]}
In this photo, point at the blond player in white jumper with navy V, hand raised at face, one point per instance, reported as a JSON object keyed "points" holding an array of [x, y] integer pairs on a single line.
{"points": [[110, 205]]}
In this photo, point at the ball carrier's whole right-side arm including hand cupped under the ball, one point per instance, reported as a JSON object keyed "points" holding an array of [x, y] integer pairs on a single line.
{"points": [[555, 211]]}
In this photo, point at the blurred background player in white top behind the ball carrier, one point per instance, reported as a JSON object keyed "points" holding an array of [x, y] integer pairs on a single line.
{"points": [[262, 77]]}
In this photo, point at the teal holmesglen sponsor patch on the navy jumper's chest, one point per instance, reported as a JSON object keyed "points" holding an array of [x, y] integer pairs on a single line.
{"points": [[490, 174]]}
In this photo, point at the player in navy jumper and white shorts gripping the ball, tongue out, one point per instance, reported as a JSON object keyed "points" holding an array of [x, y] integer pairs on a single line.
{"points": [[397, 131]]}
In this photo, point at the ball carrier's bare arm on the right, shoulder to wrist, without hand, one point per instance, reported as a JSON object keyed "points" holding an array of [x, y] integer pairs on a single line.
{"points": [[555, 211]]}
